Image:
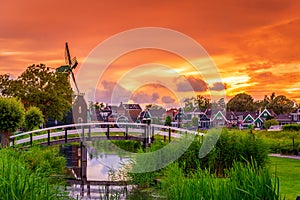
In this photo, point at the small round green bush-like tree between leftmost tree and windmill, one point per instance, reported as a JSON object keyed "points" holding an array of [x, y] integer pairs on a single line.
{"points": [[33, 118]]}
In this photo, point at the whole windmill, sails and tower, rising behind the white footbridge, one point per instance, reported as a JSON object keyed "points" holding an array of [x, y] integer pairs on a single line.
{"points": [[79, 106]]}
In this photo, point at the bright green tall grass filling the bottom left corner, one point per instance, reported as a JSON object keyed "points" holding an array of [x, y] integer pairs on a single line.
{"points": [[18, 181]]}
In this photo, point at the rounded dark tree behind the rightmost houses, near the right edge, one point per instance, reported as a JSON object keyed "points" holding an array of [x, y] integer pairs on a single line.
{"points": [[281, 104]]}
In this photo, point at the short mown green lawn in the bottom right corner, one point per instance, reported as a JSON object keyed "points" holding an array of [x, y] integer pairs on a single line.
{"points": [[288, 171]]}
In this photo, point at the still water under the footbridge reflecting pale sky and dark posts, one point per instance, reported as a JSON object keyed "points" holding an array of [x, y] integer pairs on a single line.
{"points": [[95, 174]]}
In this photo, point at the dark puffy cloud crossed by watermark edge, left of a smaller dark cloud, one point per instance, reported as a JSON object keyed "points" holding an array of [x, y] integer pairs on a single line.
{"points": [[191, 83]]}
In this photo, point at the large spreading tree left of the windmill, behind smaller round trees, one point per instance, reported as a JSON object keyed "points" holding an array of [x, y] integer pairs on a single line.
{"points": [[38, 86]]}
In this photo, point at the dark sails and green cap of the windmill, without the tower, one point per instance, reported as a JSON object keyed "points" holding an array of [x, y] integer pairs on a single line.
{"points": [[71, 64]]}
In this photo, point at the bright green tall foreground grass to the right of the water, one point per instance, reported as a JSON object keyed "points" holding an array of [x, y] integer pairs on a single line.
{"points": [[243, 182]]}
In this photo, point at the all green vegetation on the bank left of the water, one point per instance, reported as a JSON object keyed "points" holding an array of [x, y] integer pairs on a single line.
{"points": [[20, 180]]}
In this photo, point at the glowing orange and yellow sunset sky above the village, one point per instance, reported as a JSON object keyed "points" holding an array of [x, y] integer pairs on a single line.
{"points": [[255, 44]]}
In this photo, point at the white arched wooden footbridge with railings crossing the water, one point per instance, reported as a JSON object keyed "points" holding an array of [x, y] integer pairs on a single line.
{"points": [[97, 131]]}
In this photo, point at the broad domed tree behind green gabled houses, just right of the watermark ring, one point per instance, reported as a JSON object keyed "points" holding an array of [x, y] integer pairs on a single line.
{"points": [[241, 103]]}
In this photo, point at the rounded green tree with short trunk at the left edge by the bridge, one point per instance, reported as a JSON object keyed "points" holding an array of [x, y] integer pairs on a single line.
{"points": [[11, 117]]}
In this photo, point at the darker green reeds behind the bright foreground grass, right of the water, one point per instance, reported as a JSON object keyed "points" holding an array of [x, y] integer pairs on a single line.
{"points": [[231, 147]]}
